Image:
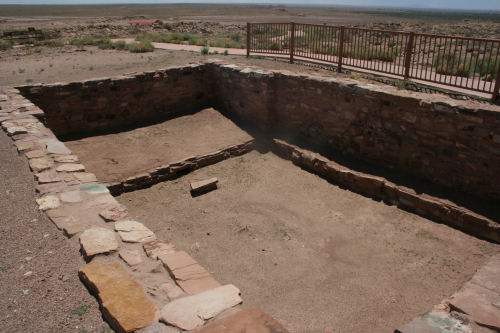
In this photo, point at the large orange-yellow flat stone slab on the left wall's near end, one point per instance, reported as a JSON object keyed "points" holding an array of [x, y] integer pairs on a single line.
{"points": [[123, 302]]}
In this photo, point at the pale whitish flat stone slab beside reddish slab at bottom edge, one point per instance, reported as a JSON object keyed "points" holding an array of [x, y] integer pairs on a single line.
{"points": [[191, 312]]}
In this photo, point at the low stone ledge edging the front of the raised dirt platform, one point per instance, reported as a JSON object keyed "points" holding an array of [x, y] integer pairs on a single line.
{"points": [[173, 170]]}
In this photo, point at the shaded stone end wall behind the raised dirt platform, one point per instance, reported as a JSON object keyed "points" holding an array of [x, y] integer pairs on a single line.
{"points": [[83, 108]]}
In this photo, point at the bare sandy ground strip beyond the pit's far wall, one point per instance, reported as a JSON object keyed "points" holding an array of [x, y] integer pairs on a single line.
{"points": [[67, 64]]}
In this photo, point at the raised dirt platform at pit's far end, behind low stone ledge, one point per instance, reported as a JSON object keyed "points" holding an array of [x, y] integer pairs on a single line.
{"points": [[115, 157]]}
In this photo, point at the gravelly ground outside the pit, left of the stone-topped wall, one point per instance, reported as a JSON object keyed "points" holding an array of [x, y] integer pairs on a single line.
{"points": [[39, 283]]}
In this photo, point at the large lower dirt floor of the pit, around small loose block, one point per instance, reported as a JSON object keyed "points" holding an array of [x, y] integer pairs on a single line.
{"points": [[317, 257]]}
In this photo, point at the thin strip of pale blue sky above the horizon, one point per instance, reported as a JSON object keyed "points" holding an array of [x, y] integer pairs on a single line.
{"points": [[493, 5]]}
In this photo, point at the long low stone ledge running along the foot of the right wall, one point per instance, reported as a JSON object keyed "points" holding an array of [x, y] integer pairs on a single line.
{"points": [[381, 189]]}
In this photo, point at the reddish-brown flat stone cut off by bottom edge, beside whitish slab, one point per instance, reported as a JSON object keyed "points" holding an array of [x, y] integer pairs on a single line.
{"points": [[251, 320]]}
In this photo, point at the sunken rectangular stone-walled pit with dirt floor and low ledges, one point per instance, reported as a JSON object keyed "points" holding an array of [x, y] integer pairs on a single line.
{"points": [[319, 243]]}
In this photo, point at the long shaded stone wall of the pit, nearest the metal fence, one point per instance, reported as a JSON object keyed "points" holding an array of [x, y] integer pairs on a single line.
{"points": [[447, 142]]}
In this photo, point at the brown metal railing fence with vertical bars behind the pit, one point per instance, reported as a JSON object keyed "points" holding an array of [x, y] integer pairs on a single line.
{"points": [[467, 63]]}
